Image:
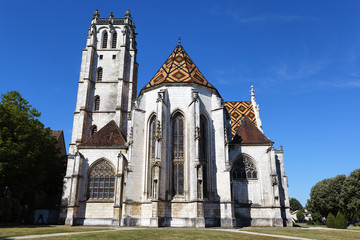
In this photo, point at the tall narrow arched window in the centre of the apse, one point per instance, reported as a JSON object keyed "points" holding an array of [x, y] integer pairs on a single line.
{"points": [[178, 155]]}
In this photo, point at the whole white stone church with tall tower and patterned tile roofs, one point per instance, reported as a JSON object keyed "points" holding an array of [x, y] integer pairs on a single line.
{"points": [[176, 155]]}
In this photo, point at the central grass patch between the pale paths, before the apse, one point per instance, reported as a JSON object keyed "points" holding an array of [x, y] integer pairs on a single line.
{"points": [[165, 234]]}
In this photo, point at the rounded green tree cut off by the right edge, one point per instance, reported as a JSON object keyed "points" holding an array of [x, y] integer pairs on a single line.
{"points": [[350, 195]]}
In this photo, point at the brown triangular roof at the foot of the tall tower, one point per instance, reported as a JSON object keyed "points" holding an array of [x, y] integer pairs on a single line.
{"points": [[109, 135]]}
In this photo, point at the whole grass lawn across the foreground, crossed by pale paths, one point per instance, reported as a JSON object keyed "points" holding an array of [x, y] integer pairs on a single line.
{"points": [[181, 234]]}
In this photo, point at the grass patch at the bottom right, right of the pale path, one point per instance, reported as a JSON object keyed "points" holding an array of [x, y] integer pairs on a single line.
{"points": [[314, 233]]}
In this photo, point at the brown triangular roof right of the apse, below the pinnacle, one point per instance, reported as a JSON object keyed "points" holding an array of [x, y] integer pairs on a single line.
{"points": [[248, 133]]}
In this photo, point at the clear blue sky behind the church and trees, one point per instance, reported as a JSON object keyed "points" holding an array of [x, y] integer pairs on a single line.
{"points": [[303, 58]]}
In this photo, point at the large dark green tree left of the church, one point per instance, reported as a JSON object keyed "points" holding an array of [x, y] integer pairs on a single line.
{"points": [[29, 161]]}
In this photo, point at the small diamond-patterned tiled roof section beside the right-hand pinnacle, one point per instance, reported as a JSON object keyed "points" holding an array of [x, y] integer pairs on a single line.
{"points": [[237, 110]]}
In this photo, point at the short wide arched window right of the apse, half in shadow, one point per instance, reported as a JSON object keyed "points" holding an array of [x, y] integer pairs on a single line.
{"points": [[244, 168]]}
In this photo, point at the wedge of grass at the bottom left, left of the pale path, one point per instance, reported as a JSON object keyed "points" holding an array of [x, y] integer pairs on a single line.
{"points": [[35, 230]]}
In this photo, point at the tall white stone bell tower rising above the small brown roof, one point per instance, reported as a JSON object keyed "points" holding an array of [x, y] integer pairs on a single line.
{"points": [[108, 77]]}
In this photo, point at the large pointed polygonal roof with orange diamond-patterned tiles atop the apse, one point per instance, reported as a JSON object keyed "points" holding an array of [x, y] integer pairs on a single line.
{"points": [[178, 68]]}
